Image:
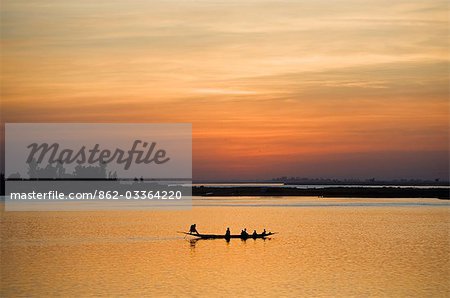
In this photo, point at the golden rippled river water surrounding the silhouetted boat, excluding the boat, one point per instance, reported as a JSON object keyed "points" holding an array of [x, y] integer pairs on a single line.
{"points": [[325, 247]]}
